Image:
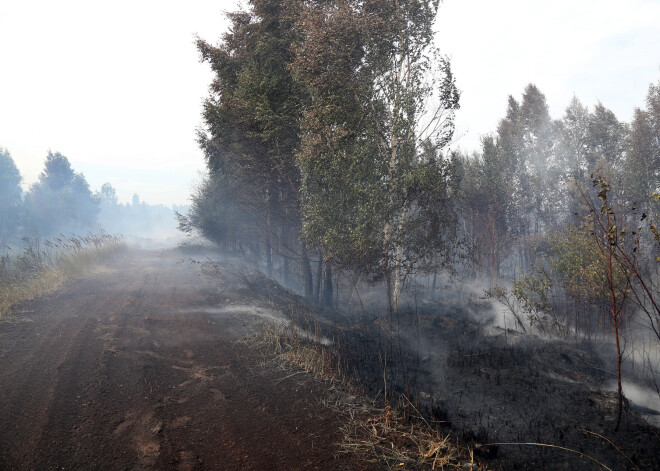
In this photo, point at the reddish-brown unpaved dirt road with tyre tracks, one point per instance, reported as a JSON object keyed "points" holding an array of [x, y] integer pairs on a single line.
{"points": [[125, 370]]}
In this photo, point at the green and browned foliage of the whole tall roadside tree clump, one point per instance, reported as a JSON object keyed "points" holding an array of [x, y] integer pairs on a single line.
{"points": [[318, 126]]}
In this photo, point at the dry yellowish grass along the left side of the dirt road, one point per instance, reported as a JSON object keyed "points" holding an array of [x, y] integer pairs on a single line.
{"points": [[42, 267]]}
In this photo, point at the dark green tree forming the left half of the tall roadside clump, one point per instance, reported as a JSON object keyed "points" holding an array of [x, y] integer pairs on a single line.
{"points": [[252, 125]]}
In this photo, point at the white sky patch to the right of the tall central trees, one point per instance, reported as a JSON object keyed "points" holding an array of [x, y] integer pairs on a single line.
{"points": [[597, 50]]}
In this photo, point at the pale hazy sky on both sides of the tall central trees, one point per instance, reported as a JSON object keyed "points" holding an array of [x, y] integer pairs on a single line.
{"points": [[117, 86]]}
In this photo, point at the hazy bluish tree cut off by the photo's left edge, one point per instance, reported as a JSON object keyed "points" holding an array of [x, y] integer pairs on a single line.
{"points": [[11, 197]]}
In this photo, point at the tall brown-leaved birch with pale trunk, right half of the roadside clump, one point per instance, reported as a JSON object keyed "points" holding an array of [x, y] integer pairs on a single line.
{"points": [[375, 183]]}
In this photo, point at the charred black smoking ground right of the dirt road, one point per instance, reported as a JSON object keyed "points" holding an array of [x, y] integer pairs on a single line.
{"points": [[488, 387]]}
